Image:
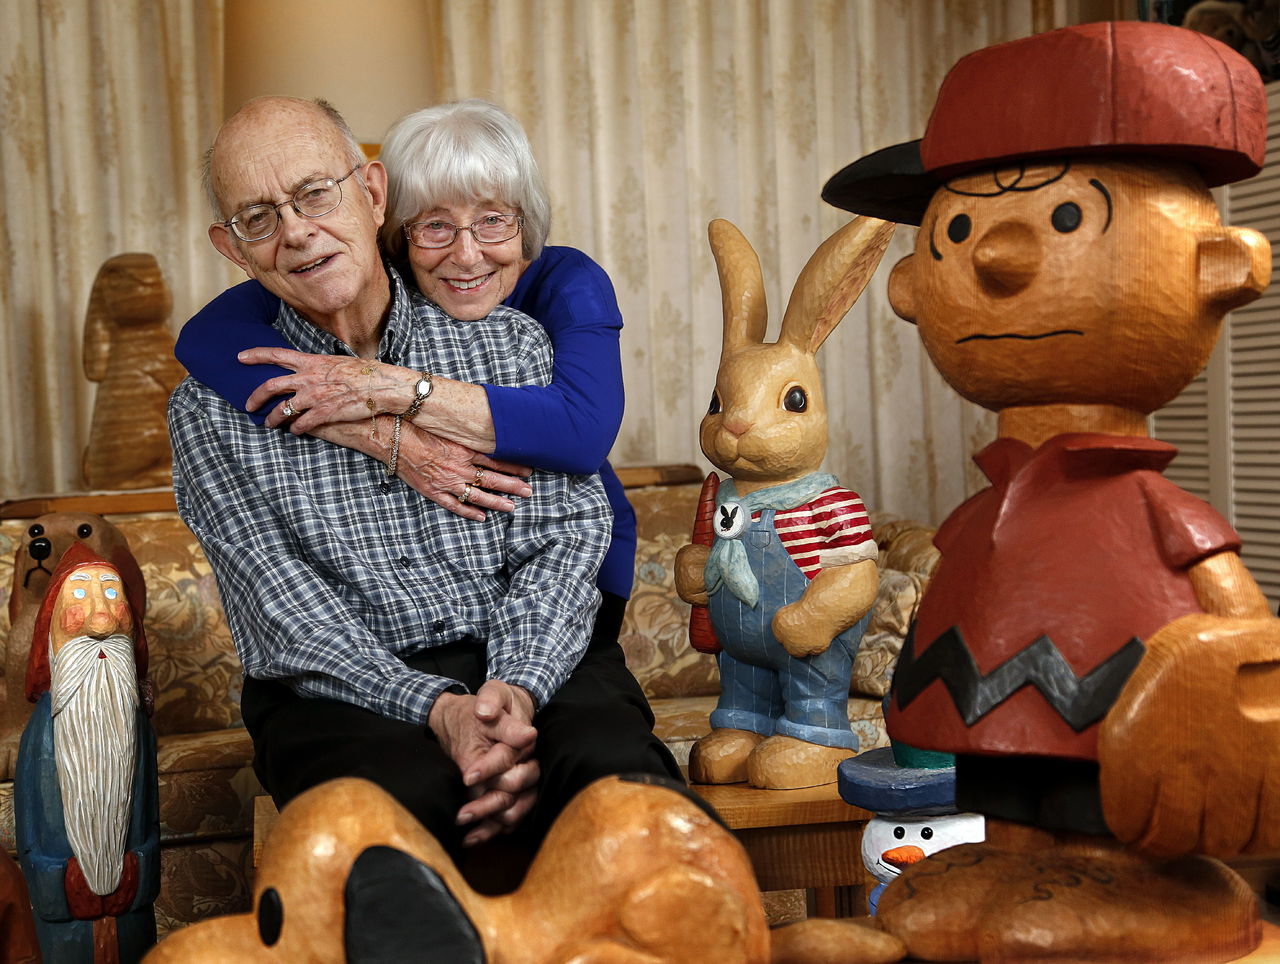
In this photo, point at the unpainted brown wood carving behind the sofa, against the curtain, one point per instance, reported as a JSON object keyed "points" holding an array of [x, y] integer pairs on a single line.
{"points": [[129, 351]]}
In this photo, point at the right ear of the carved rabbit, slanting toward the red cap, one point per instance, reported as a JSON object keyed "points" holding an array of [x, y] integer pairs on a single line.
{"points": [[831, 282]]}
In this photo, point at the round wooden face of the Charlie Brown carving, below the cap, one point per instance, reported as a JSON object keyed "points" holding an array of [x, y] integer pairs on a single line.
{"points": [[1063, 284]]}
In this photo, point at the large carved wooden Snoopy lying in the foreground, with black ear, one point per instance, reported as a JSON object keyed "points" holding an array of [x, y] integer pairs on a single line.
{"points": [[632, 872]]}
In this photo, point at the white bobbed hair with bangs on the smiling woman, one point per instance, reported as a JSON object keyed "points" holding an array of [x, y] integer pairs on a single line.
{"points": [[460, 152]]}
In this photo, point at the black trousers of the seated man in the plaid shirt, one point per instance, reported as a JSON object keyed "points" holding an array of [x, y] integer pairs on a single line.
{"points": [[598, 724]]}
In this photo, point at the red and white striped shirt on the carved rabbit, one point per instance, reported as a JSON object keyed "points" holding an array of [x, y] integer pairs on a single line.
{"points": [[833, 531]]}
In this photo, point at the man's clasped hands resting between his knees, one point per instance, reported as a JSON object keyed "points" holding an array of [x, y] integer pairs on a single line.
{"points": [[491, 737]]}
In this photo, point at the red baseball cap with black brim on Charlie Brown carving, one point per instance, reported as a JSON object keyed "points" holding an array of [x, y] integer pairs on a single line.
{"points": [[1107, 89]]}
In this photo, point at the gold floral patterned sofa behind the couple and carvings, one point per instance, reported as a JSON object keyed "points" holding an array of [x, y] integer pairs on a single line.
{"points": [[207, 783]]}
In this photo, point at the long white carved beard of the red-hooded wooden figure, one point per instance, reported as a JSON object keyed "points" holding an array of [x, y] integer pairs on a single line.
{"points": [[94, 705]]}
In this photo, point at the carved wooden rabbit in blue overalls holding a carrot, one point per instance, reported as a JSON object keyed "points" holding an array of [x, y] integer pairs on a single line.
{"points": [[793, 573]]}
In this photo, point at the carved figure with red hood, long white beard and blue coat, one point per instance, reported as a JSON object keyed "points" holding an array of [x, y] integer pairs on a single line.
{"points": [[86, 799]]}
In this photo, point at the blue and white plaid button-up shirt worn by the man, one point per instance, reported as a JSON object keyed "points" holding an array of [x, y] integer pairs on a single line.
{"points": [[331, 573]]}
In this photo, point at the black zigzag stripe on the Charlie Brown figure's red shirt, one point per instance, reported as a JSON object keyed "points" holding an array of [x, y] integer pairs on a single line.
{"points": [[1080, 701]]}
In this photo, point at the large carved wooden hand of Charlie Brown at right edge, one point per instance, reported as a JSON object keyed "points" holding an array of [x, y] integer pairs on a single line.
{"points": [[1191, 752]]}
